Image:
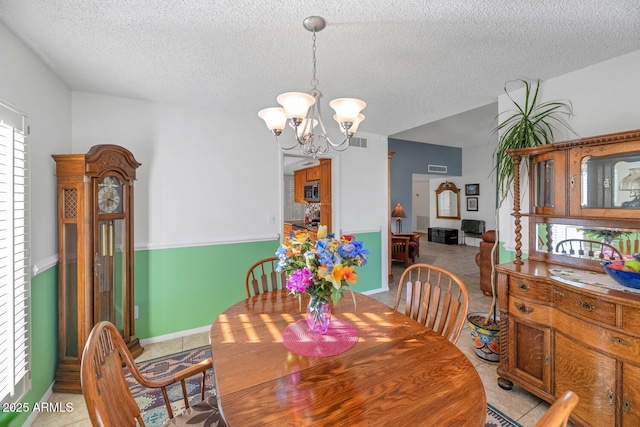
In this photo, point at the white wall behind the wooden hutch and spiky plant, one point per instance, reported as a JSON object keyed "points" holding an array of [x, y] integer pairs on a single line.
{"points": [[605, 98]]}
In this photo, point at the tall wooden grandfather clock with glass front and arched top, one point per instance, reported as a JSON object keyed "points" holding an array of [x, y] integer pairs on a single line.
{"points": [[95, 252]]}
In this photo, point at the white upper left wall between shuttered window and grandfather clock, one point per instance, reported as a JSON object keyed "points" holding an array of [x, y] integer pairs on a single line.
{"points": [[30, 86]]}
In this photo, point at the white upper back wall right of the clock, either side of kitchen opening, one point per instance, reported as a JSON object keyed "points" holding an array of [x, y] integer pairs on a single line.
{"points": [[208, 176]]}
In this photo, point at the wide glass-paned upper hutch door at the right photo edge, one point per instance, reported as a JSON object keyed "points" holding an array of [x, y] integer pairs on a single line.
{"points": [[596, 174]]}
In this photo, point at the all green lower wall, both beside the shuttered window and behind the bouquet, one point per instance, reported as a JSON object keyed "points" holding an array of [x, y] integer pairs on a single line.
{"points": [[175, 290]]}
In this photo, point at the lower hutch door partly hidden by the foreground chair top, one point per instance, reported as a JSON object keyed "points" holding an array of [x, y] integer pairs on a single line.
{"points": [[591, 375]]}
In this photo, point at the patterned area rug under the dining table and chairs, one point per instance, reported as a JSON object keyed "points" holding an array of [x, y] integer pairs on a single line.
{"points": [[152, 404]]}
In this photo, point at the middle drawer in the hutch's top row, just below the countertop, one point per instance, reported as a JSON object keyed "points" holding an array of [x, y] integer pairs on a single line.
{"points": [[585, 306]]}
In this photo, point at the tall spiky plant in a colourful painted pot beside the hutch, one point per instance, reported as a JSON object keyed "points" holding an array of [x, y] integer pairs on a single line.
{"points": [[528, 124]]}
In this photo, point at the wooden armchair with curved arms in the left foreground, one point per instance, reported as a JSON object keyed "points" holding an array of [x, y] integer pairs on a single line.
{"points": [[106, 393]]}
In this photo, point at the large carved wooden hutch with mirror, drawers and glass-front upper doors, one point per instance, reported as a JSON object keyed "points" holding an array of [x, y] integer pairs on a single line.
{"points": [[565, 325]]}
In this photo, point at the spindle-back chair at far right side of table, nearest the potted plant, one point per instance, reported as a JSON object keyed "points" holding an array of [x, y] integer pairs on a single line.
{"points": [[434, 297]]}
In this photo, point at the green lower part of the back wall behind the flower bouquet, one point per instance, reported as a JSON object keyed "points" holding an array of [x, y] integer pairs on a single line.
{"points": [[186, 288]]}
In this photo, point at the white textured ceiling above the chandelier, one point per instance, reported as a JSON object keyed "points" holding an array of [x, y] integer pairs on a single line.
{"points": [[413, 62]]}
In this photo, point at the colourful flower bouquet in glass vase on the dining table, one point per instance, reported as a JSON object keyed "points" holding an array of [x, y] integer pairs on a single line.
{"points": [[323, 269]]}
